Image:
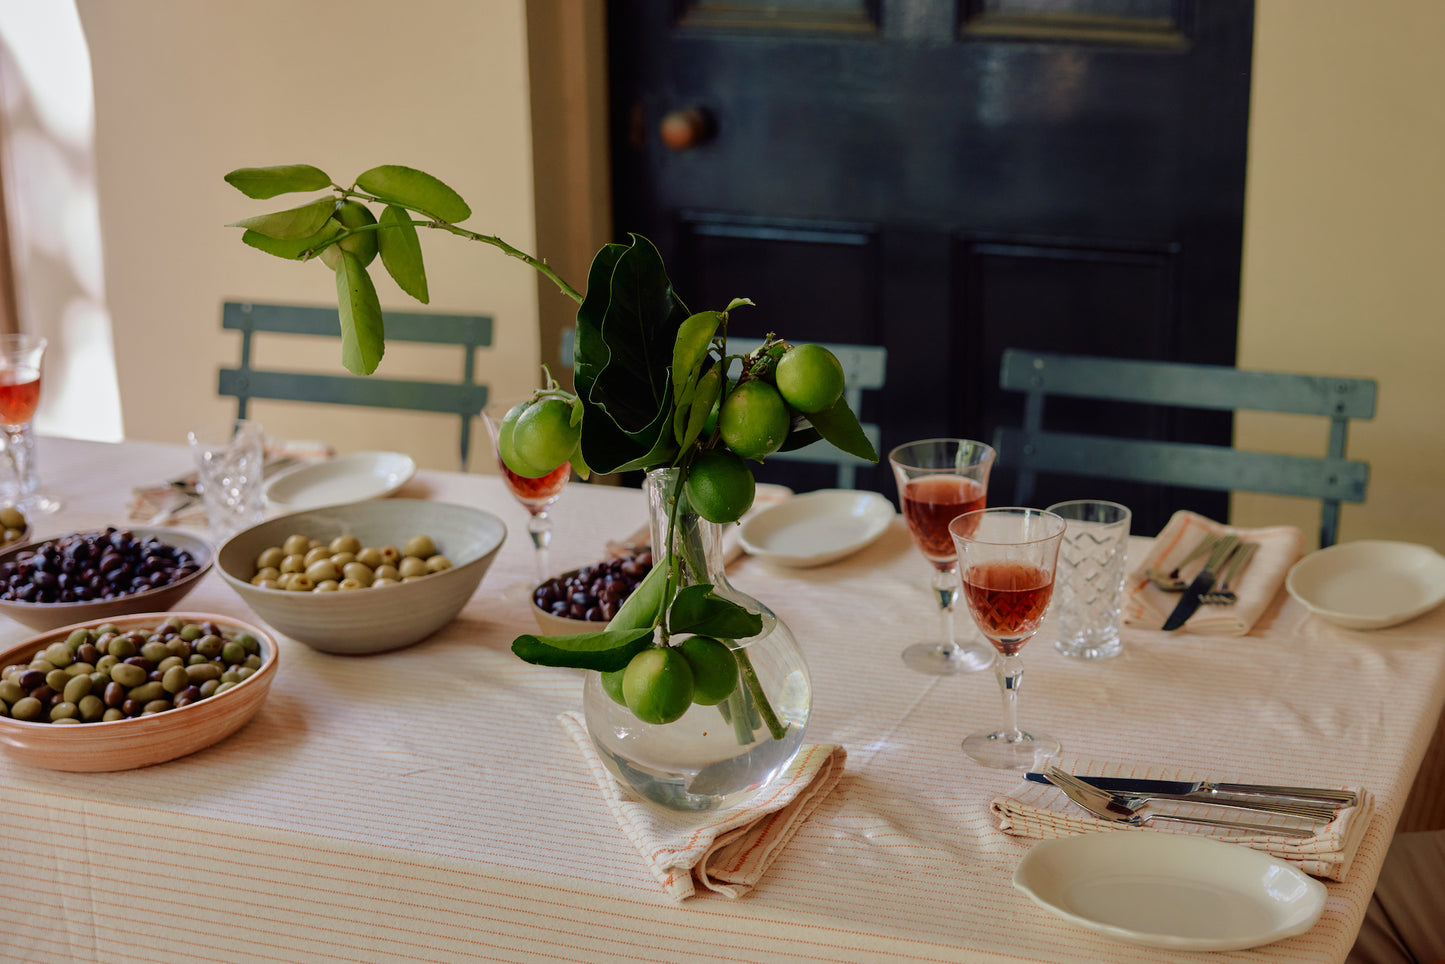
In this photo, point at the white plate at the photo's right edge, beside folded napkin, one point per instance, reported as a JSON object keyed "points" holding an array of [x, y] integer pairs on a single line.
{"points": [[1369, 585]]}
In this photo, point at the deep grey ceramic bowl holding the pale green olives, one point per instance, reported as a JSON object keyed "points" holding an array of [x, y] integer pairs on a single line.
{"points": [[374, 619]]}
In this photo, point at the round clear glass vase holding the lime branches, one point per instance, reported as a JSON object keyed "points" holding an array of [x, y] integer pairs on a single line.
{"points": [[717, 757]]}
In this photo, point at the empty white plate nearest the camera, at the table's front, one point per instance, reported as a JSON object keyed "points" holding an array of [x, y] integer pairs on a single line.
{"points": [[1173, 891]]}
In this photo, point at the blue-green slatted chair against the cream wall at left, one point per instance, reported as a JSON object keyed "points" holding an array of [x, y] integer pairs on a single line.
{"points": [[466, 398]]}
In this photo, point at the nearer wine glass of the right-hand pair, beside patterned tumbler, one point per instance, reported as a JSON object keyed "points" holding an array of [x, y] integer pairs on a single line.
{"points": [[1008, 559]]}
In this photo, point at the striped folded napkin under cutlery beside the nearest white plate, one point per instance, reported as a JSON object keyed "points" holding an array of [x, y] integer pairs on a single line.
{"points": [[1044, 812]]}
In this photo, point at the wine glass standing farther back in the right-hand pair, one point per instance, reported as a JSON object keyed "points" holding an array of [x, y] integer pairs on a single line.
{"points": [[940, 479]]}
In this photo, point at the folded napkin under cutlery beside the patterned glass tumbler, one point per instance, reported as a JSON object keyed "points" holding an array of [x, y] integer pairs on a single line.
{"points": [[1147, 606]]}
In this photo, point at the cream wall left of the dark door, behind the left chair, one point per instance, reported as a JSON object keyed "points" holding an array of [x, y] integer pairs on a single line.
{"points": [[187, 92]]}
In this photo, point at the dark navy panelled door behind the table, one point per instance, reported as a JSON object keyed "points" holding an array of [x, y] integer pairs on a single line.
{"points": [[949, 180]]}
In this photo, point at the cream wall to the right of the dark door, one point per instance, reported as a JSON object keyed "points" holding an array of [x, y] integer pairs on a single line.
{"points": [[1343, 255]]}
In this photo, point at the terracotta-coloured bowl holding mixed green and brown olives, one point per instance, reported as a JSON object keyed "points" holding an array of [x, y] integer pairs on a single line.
{"points": [[125, 745]]}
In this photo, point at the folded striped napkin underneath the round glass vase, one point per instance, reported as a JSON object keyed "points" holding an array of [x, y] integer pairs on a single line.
{"points": [[726, 852]]}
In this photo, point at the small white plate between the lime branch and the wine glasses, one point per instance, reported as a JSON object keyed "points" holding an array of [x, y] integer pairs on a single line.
{"points": [[819, 527]]}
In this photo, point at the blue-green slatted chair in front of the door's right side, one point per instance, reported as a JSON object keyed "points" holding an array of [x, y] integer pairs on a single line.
{"points": [[1034, 450]]}
